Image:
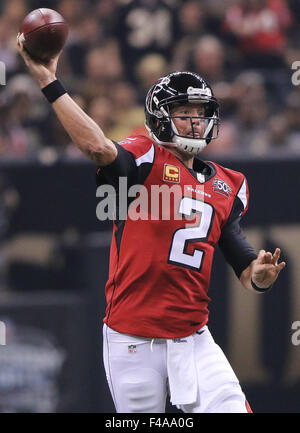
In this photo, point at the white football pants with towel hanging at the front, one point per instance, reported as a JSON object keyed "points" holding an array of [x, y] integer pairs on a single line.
{"points": [[141, 372]]}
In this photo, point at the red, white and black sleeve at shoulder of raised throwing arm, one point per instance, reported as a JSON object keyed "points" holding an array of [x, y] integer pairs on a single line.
{"points": [[134, 161]]}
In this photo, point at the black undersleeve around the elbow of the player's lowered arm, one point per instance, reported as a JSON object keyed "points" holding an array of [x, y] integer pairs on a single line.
{"points": [[235, 247]]}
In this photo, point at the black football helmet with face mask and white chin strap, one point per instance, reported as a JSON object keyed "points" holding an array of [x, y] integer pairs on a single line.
{"points": [[179, 88]]}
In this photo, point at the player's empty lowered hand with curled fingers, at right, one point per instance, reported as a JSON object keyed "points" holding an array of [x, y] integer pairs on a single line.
{"points": [[265, 269]]}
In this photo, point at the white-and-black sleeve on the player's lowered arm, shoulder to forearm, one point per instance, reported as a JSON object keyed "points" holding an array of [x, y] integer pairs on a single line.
{"points": [[233, 243]]}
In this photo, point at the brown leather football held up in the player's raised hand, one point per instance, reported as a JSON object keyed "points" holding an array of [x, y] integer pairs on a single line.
{"points": [[43, 34]]}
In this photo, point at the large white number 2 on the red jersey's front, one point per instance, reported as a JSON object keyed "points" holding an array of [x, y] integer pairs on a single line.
{"points": [[186, 235]]}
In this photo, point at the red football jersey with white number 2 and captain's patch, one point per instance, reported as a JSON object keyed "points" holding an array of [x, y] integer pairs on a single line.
{"points": [[160, 263]]}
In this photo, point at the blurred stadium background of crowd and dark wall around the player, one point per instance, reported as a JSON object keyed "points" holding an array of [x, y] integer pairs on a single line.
{"points": [[54, 252]]}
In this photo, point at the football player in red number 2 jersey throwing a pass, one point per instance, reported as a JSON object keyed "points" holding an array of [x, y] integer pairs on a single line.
{"points": [[155, 335]]}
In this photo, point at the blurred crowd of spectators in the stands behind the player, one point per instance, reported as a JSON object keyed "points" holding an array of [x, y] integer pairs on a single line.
{"points": [[117, 49]]}
